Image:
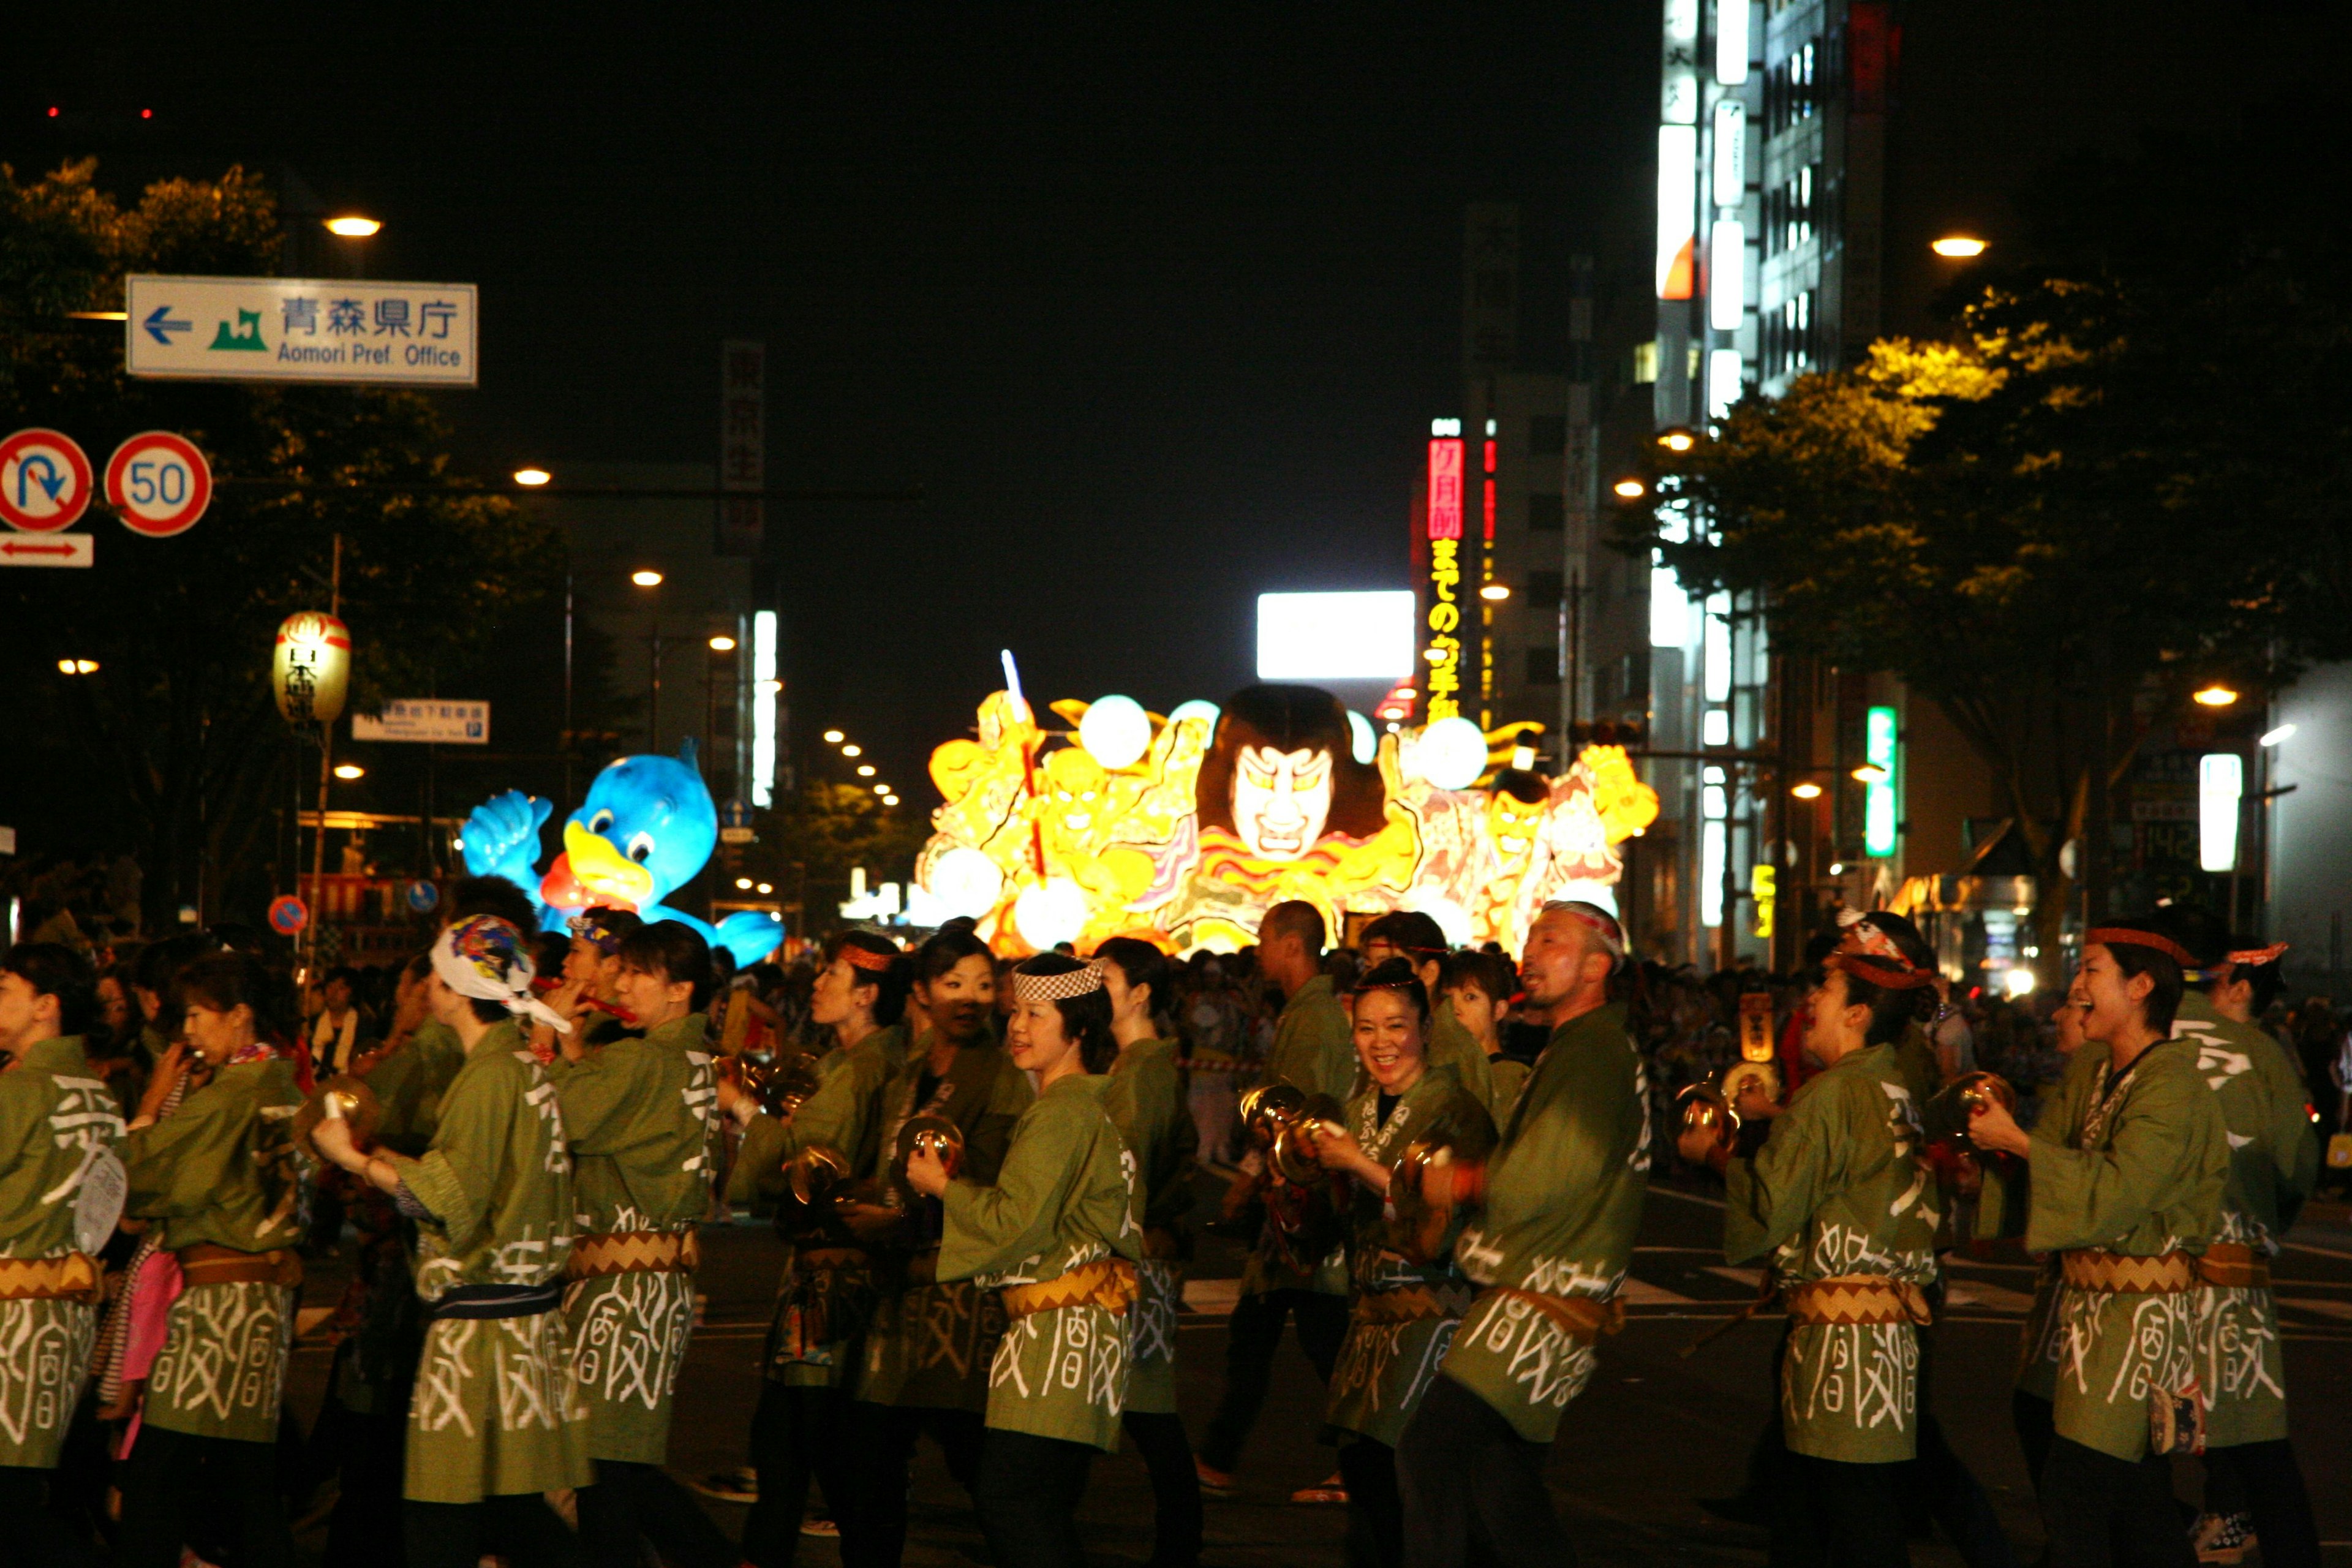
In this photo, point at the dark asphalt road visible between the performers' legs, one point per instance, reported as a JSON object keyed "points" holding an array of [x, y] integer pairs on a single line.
{"points": [[1652, 1435]]}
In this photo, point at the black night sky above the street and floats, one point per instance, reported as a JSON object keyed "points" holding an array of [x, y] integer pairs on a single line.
{"points": [[1156, 309]]}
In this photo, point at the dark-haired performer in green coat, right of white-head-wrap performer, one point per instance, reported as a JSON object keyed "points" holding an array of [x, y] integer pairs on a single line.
{"points": [[641, 1123]]}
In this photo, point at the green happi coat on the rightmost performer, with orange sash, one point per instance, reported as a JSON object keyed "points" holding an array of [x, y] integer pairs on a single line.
{"points": [[2273, 1167]]}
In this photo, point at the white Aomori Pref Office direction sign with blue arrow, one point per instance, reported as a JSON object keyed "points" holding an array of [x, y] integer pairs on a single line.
{"points": [[300, 330]]}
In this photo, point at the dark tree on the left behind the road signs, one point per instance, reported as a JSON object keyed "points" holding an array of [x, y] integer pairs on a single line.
{"points": [[175, 749]]}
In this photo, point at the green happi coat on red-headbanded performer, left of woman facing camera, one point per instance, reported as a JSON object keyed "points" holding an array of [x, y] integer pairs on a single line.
{"points": [[822, 1311]]}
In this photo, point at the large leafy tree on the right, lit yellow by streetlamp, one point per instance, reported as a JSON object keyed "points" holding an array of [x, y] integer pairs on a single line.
{"points": [[2052, 528]]}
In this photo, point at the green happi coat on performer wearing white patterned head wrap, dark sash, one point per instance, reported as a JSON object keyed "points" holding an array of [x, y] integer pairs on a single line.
{"points": [[495, 1409]]}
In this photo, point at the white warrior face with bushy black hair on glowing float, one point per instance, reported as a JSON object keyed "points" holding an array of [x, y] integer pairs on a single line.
{"points": [[1281, 775]]}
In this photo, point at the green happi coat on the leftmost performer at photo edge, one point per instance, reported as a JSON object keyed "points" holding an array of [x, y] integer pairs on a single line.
{"points": [[55, 1123]]}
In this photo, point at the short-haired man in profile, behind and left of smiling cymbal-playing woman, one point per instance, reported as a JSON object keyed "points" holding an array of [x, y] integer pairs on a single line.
{"points": [[1316, 1054]]}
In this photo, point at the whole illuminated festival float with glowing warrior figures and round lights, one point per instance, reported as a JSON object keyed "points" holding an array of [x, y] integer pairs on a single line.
{"points": [[1102, 819]]}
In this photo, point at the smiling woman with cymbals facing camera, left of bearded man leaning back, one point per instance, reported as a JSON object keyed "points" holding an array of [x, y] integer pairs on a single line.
{"points": [[1408, 1292]]}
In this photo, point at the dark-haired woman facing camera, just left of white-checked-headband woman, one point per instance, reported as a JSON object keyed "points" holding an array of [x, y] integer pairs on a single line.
{"points": [[930, 1341]]}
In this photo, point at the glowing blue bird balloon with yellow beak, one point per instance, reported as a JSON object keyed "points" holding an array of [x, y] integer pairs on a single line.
{"points": [[641, 836]]}
